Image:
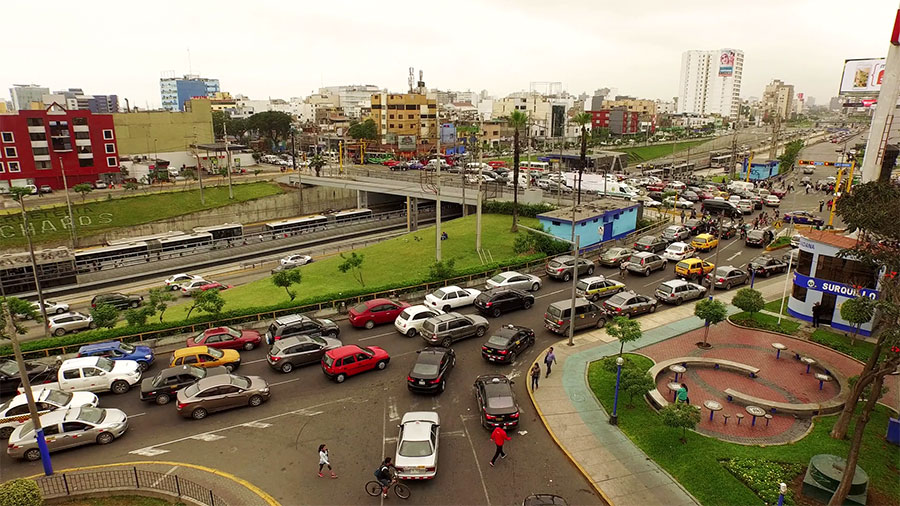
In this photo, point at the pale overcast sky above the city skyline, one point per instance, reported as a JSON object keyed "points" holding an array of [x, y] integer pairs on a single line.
{"points": [[282, 49]]}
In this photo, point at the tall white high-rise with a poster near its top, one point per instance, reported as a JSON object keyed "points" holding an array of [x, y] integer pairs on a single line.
{"points": [[710, 82]]}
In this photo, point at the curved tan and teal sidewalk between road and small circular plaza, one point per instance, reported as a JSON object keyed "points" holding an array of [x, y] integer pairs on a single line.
{"points": [[616, 467]]}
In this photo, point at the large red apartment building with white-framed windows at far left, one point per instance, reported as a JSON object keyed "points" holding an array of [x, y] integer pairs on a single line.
{"points": [[36, 145]]}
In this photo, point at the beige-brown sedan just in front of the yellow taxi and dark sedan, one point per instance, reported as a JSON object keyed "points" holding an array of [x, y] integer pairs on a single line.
{"points": [[220, 392]]}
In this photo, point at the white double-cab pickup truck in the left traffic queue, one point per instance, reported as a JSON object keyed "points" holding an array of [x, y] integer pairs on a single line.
{"points": [[95, 374]]}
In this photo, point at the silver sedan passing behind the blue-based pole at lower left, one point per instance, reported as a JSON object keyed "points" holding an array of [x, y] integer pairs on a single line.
{"points": [[67, 429]]}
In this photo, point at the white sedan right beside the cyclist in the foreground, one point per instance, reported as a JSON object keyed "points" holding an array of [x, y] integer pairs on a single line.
{"points": [[417, 446]]}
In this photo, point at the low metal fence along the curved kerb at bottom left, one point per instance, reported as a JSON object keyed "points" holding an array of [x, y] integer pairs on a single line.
{"points": [[76, 483]]}
